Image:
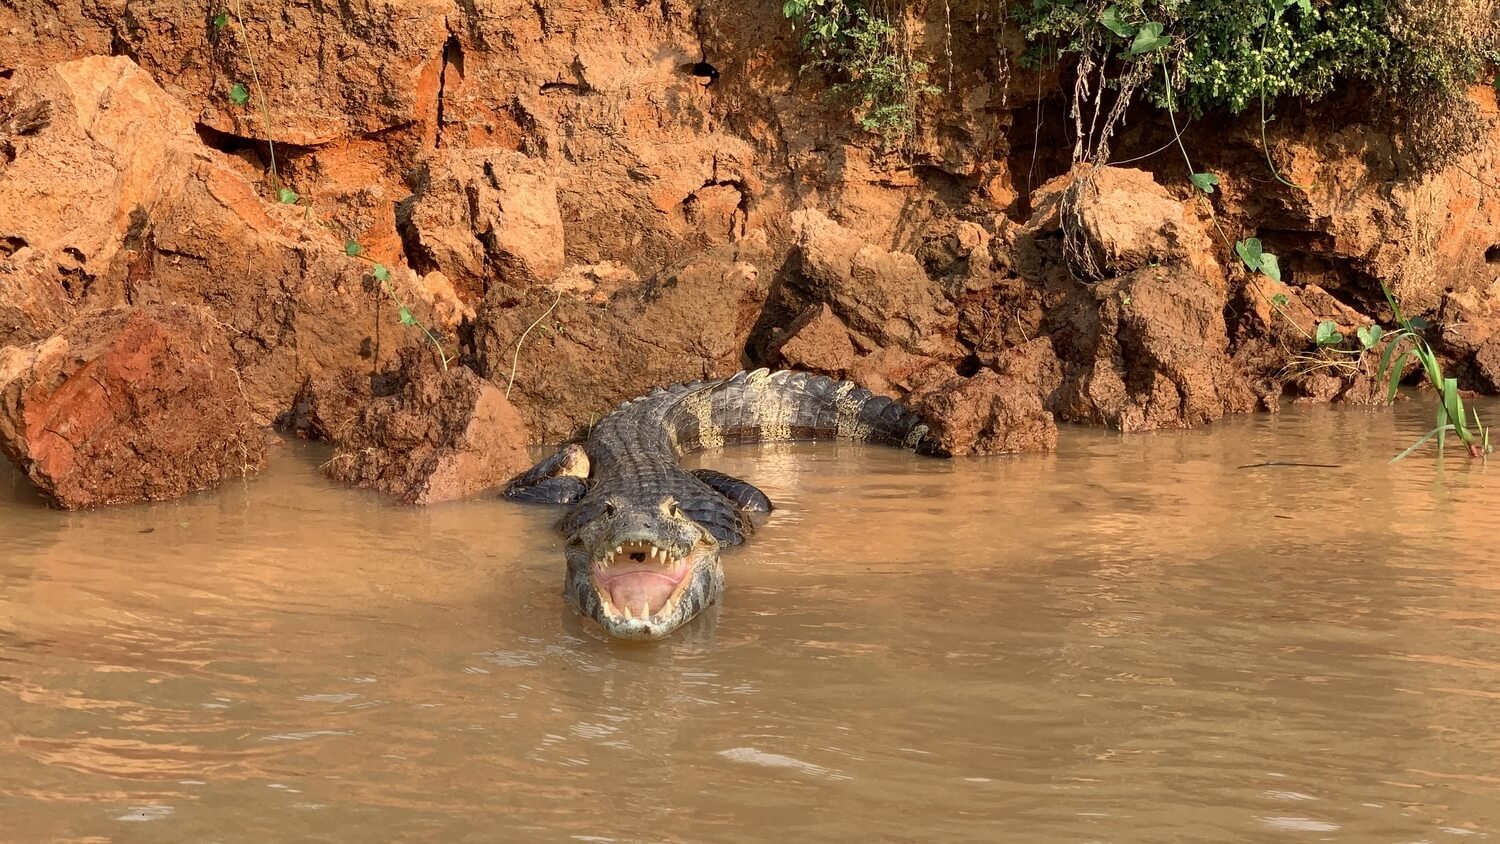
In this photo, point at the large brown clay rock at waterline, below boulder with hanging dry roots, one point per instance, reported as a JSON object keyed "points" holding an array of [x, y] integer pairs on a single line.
{"points": [[1148, 352]]}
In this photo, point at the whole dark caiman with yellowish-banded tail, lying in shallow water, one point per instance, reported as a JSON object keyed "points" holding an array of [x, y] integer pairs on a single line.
{"points": [[644, 536]]}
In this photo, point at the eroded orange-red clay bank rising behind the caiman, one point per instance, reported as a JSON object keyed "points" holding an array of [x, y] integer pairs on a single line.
{"points": [[557, 173]]}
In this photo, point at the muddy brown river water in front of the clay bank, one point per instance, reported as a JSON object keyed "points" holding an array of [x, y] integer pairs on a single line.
{"points": [[1129, 641]]}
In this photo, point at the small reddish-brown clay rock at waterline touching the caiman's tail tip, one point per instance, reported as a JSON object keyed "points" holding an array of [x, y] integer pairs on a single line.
{"points": [[986, 415]]}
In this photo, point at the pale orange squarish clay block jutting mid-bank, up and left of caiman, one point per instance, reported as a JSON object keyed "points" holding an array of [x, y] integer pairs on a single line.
{"points": [[481, 209]]}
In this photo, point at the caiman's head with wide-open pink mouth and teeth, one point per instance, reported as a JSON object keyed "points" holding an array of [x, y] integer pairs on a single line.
{"points": [[643, 570]]}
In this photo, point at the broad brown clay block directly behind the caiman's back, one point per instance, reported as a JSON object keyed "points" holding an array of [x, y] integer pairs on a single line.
{"points": [[583, 361]]}
